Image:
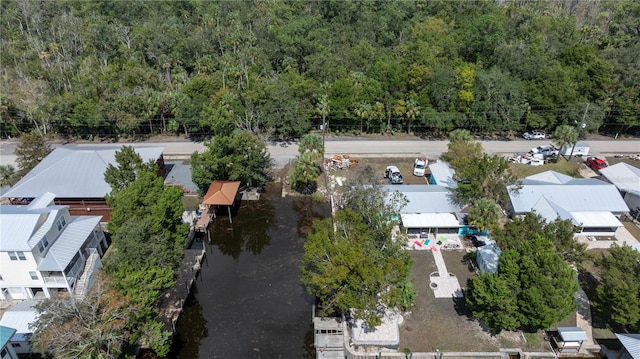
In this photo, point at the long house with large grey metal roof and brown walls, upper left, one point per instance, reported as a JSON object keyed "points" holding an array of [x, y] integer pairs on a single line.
{"points": [[76, 176]]}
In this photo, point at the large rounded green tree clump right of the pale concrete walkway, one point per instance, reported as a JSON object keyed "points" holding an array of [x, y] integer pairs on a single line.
{"points": [[532, 289]]}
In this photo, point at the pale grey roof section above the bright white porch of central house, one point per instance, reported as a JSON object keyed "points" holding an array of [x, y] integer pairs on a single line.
{"points": [[425, 198]]}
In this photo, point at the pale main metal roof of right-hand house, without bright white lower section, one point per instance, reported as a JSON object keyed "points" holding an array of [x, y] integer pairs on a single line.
{"points": [[575, 195]]}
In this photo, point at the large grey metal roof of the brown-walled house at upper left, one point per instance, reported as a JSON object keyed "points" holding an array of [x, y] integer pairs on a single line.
{"points": [[74, 172]]}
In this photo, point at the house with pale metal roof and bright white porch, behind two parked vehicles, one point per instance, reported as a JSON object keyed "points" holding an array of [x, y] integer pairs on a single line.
{"points": [[429, 210]]}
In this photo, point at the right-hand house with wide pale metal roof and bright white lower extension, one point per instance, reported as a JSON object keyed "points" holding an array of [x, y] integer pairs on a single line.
{"points": [[591, 204]]}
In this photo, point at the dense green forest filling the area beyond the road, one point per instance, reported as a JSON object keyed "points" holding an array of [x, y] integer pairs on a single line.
{"points": [[86, 69]]}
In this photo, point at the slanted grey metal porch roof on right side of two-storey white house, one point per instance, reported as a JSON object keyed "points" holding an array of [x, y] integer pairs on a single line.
{"points": [[68, 243]]}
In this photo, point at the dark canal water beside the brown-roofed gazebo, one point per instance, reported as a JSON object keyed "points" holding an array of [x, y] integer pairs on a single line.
{"points": [[248, 301]]}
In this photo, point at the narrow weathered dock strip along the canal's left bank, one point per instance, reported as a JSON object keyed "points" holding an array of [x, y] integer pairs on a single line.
{"points": [[173, 300]]}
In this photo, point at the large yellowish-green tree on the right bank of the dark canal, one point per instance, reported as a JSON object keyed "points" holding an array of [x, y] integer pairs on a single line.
{"points": [[351, 263]]}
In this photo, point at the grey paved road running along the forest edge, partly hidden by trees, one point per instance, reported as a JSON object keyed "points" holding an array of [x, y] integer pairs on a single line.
{"points": [[283, 152]]}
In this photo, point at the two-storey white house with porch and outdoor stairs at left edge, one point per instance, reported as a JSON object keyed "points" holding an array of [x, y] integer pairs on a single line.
{"points": [[45, 250]]}
